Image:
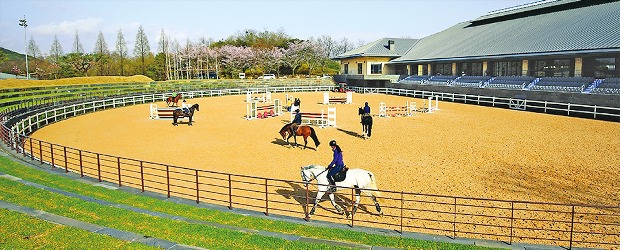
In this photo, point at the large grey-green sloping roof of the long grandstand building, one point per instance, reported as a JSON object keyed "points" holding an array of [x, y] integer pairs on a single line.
{"points": [[546, 28]]}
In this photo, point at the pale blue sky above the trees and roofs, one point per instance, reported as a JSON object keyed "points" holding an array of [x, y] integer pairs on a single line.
{"points": [[359, 21]]}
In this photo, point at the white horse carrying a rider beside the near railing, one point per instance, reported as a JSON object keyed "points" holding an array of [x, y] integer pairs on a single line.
{"points": [[361, 180]]}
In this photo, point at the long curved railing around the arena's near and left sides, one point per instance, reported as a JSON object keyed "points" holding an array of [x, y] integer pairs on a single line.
{"points": [[509, 221]]}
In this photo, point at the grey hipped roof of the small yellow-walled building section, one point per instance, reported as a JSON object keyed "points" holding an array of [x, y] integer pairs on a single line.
{"points": [[380, 48]]}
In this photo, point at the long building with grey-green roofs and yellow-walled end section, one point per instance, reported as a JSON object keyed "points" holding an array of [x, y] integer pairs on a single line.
{"points": [[553, 38]]}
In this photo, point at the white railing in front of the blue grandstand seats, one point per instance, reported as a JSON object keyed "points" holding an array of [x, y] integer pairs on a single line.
{"points": [[558, 108]]}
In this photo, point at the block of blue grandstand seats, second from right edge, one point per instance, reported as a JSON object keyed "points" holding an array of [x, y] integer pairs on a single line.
{"points": [[563, 84]]}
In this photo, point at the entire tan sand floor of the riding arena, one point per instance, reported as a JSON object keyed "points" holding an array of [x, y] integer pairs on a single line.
{"points": [[461, 171]]}
